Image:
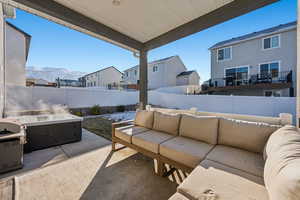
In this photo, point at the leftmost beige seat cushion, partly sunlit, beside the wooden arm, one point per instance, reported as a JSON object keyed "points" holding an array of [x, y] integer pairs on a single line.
{"points": [[126, 132]]}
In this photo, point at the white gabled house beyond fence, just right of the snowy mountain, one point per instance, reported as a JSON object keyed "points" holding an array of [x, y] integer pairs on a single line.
{"points": [[103, 78]]}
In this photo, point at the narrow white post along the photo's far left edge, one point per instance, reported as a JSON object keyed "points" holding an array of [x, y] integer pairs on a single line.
{"points": [[2, 48]]}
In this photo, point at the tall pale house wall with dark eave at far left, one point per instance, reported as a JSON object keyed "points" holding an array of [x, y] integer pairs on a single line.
{"points": [[17, 49]]}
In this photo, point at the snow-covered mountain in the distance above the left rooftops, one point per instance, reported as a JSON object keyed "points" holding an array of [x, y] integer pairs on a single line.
{"points": [[51, 73]]}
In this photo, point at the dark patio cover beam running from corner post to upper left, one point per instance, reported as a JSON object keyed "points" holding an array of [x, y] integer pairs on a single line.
{"points": [[70, 16]]}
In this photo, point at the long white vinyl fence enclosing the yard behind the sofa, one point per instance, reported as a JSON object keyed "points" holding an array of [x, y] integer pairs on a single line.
{"points": [[35, 98]]}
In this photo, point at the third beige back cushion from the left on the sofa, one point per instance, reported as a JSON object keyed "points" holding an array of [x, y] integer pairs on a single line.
{"points": [[199, 128]]}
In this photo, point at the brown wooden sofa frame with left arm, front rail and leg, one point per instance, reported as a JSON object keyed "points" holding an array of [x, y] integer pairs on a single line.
{"points": [[161, 160]]}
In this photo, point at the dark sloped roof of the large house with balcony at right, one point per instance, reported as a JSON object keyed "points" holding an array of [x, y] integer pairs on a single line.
{"points": [[253, 35]]}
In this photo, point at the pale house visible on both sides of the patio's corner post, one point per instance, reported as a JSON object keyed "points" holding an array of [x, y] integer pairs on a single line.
{"points": [[161, 73]]}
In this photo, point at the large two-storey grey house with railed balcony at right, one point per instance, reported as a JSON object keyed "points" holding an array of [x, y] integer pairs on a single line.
{"points": [[262, 63]]}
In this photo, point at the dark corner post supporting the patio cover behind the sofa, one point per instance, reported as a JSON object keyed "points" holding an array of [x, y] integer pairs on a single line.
{"points": [[143, 84]]}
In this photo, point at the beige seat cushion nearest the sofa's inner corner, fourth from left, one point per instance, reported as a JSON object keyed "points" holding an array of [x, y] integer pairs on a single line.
{"points": [[246, 161]]}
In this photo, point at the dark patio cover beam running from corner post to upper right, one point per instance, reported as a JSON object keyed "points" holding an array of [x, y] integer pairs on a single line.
{"points": [[222, 14]]}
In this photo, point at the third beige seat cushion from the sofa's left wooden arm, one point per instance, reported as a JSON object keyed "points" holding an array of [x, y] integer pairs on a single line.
{"points": [[184, 150]]}
